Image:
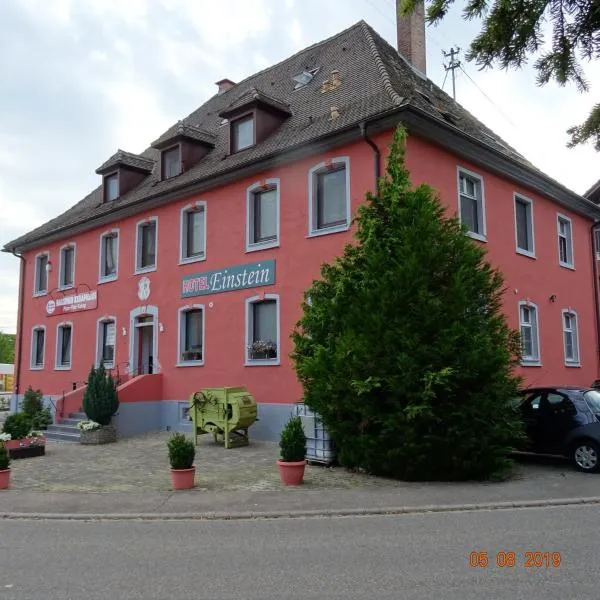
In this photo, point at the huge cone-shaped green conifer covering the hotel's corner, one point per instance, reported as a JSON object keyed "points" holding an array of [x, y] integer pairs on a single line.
{"points": [[403, 349]]}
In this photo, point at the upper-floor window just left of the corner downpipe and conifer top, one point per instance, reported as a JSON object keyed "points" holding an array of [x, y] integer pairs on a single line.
{"points": [[329, 197]]}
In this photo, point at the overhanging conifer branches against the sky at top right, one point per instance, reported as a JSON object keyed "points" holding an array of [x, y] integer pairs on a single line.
{"points": [[512, 32]]}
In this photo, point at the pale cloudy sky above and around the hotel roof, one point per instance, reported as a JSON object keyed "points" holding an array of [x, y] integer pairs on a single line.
{"points": [[81, 78]]}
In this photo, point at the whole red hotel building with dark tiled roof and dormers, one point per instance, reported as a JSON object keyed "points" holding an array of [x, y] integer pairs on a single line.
{"points": [[186, 267]]}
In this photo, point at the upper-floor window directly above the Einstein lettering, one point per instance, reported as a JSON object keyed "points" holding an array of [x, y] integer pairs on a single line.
{"points": [[262, 215]]}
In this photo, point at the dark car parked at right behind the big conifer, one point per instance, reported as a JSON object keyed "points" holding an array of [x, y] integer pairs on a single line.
{"points": [[564, 421]]}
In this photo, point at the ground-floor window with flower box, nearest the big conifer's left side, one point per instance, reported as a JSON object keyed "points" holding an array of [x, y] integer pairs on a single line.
{"points": [[262, 330]]}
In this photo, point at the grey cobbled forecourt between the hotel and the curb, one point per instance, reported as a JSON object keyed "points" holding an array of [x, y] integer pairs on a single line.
{"points": [[140, 464]]}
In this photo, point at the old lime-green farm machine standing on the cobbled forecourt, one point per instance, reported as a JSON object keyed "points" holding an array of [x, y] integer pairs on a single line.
{"points": [[227, 413]]}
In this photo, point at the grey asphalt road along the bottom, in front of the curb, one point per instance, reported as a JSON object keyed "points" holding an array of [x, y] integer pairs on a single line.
{"points": [[412, 556]]}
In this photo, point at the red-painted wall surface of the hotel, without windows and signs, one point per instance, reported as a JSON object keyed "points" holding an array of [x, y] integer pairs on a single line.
{"points": [[297, 263]]}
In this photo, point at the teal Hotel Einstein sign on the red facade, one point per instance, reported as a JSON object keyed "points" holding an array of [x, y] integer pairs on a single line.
{"points": [[229, 279]]}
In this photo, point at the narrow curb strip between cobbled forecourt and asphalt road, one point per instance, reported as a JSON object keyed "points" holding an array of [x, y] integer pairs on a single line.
{"points": [[300, 514]]}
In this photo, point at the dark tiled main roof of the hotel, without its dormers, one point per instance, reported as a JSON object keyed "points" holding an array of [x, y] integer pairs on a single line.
{"points": [[375, 80]]}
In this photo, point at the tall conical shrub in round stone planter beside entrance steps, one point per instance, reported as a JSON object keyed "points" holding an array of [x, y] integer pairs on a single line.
{"points": [[100, 403]]}
